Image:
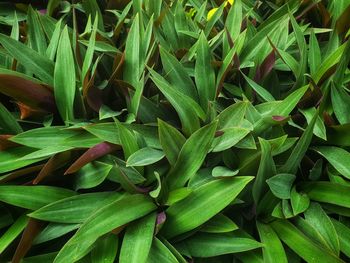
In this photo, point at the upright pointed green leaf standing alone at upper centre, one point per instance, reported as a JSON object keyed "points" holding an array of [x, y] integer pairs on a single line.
{"points": [[204, 73]]}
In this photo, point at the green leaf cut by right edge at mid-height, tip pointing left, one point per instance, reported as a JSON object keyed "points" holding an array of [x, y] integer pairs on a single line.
{"points": [[337, 157]]}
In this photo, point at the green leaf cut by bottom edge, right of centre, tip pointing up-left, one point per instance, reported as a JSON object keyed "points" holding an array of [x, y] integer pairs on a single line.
{"points": [[272, 246]]}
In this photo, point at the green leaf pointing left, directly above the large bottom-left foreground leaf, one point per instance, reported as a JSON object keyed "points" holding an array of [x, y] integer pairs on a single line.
{"points": [[75, 209]]}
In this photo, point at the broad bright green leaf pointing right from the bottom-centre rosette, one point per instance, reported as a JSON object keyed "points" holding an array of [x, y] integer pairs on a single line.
{"points": [[202, 204]]}
